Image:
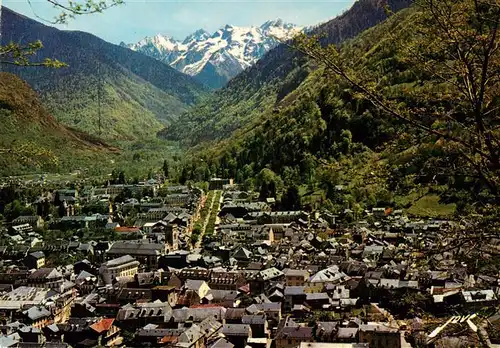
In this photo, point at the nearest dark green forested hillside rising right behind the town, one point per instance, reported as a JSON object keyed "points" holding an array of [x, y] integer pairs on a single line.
{"points": [[400, 136]]}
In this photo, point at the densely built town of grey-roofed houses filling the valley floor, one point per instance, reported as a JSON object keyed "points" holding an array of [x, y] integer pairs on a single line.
{"points": [[158, 265]]}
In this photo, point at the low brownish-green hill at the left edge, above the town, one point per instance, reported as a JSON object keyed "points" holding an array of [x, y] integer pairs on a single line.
{"points": [[31, 138]]}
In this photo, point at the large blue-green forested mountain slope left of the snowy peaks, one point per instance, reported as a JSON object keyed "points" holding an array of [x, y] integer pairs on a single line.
{"points": [[139, 95]]}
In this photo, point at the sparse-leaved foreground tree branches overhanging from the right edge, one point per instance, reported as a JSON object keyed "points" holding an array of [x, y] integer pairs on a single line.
{"points": [[454, 53]]}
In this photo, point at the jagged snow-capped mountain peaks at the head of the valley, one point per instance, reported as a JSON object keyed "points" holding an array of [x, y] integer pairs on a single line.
{"points": [[216, 58]]}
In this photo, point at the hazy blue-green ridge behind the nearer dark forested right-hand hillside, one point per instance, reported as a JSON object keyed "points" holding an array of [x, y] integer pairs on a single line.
{"points": [[275, 75]]}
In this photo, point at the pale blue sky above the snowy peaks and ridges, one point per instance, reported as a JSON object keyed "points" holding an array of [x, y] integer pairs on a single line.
{"points": [[136, 19]]}
